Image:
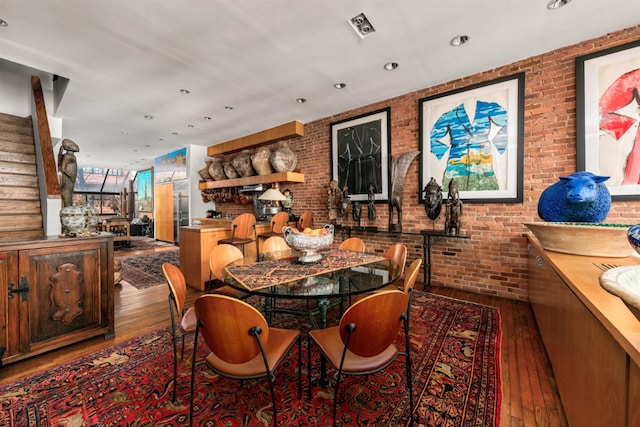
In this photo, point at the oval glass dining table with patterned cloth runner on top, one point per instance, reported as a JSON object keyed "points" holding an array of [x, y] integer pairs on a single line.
{"points": [[338, 276]]}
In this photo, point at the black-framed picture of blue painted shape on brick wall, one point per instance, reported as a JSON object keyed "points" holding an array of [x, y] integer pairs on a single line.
{"points": [[491, 169]]}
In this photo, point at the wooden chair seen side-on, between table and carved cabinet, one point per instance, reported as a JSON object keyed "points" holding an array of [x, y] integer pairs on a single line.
{"points": [[183, 321]]}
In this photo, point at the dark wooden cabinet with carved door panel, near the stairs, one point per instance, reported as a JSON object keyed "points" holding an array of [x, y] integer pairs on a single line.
{"points": [[55, 292]]}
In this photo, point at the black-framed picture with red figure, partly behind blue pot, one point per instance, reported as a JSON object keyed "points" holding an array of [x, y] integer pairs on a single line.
{"points": [[607, 119]]}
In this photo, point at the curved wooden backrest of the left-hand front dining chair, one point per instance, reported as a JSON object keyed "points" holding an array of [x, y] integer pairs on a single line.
{"points": [[225, 325]]}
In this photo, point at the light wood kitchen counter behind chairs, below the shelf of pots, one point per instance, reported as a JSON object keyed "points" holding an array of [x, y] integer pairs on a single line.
{"points": [[196, 243]]}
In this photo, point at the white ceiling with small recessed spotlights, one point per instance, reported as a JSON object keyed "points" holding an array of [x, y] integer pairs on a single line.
{"points": [[129, 58]]}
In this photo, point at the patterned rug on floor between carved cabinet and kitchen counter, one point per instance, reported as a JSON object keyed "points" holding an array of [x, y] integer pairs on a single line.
{"points": [[145, 271]]}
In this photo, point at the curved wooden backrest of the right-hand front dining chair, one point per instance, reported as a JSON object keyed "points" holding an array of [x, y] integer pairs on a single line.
{"points": [[377, 320]]}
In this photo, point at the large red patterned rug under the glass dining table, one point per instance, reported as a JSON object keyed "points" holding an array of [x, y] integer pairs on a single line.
{"points": [[455, 347]]}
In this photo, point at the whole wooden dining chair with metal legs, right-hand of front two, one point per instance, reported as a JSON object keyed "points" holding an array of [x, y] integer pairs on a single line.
{"points": [[363, 342]]}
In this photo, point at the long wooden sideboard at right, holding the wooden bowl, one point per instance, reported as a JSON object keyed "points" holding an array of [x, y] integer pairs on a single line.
{"points": [[591, 337]]}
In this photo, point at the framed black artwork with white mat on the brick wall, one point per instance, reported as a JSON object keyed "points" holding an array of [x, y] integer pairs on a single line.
{"points": [[360, 150]]}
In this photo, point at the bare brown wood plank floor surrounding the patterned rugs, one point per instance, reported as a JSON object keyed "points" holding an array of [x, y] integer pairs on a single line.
{"points": [[529, 393]]}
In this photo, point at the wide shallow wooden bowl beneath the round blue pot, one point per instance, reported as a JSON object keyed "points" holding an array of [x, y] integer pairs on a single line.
{"points": [[590, 239]]}
